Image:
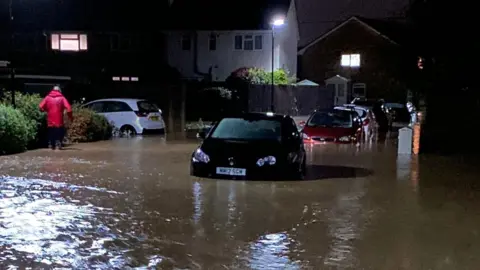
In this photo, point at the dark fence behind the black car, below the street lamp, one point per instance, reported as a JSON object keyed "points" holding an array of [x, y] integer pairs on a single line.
{"points": [[289, 99]]}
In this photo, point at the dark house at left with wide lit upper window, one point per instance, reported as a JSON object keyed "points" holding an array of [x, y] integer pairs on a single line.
{"points": [[54, 43]]}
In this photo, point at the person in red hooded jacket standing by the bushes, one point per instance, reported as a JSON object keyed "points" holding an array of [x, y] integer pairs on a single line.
{"points": [[54, 104]]}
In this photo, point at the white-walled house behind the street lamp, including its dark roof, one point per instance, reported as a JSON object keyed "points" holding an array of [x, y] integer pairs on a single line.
{"points": [[209, 39]]}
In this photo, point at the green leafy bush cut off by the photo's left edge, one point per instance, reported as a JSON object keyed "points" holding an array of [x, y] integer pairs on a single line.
{"points": [[15, 130]]}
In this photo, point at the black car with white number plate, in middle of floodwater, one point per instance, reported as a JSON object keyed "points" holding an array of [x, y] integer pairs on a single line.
{"points": [[251, 146]]}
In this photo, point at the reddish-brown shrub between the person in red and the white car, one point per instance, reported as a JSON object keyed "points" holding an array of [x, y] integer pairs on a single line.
{"points": [[87, 126]]}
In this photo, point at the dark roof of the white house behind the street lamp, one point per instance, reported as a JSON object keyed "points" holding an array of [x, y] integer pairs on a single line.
{"points": [[225, 15]]}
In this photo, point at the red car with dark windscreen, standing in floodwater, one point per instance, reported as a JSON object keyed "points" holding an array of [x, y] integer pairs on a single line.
{"points": [[335, 125]]}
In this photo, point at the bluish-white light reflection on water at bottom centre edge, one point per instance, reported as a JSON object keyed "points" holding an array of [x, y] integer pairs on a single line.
{"points": [[271, 252]]}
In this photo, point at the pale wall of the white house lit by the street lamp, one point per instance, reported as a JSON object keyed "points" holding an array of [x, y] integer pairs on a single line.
{"points": [[226, 59]]}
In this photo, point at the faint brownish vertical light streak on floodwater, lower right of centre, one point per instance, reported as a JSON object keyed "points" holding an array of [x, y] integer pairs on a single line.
{"points": [[344, 228]]}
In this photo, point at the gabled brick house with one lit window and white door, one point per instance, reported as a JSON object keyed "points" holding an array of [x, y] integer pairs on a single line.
{"points": [[360, 58]]}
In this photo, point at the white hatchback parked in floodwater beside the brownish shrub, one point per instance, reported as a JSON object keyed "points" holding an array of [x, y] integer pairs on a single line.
{"points": [[134, 116]]}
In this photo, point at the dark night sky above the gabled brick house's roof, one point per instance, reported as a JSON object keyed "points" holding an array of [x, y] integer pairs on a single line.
{"points": [[318, 16]]}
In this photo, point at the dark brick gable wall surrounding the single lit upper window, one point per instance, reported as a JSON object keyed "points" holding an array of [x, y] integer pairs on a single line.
{"points": [[381, 61]]}
